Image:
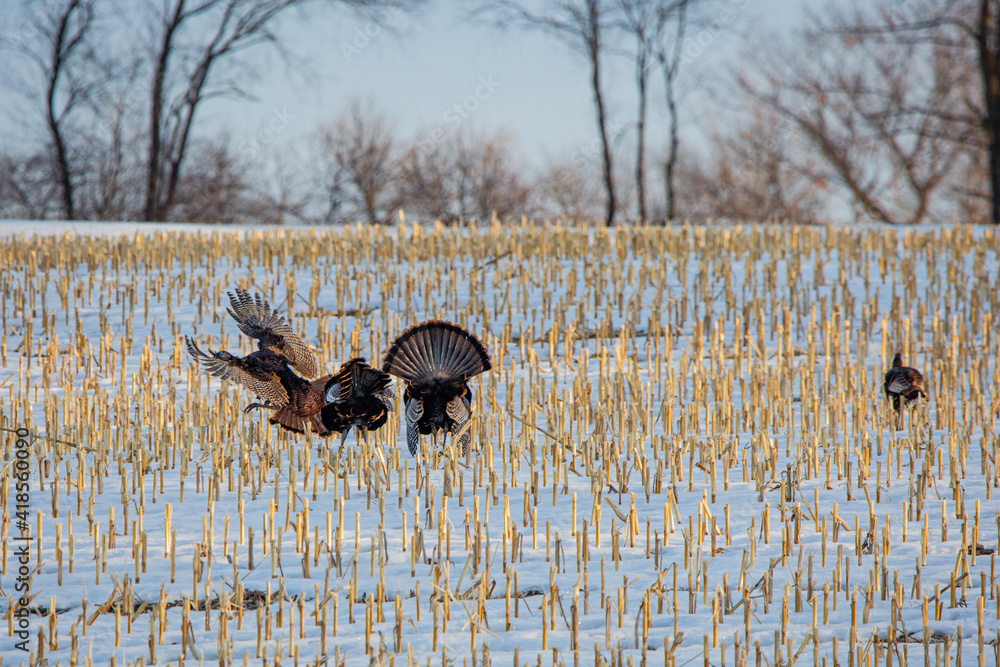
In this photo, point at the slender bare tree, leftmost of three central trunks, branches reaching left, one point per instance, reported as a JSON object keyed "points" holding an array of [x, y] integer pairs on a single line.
{"points": [[581, 24]]}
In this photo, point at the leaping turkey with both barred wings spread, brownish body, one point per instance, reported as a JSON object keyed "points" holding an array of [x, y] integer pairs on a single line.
{"points": [[268, 372]]}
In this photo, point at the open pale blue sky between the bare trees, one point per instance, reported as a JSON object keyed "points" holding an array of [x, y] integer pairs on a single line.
{"points": [[529, 83]]}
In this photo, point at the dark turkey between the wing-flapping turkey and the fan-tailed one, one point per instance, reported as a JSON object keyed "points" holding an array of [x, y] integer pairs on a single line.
{"points": [[358, 396]]}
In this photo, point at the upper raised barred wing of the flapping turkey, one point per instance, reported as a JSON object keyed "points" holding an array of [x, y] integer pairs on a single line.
{"points": [[255, 318]]}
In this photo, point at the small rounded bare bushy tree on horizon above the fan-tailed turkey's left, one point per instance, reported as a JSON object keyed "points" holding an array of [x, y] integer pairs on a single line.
{"points": [[362, 145]]}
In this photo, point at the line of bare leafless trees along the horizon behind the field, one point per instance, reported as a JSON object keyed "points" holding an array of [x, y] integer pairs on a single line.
{"points": [[886, 111]]}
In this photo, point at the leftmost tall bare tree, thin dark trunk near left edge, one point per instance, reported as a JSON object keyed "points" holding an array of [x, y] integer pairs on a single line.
{"points": [[86, 96]]}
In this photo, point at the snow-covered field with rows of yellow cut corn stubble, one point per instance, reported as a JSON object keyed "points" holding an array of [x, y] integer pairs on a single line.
{"points": [[684, 454]]}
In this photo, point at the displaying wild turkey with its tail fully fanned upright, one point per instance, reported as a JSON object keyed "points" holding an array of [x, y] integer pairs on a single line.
{"points": [[436, 359]]}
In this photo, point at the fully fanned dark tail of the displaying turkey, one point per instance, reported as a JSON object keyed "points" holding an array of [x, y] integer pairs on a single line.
{"points": [[436, 348]]}
